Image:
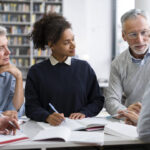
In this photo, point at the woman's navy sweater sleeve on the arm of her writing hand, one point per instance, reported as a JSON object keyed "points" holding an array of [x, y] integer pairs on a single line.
{"points": [[34, 110]]}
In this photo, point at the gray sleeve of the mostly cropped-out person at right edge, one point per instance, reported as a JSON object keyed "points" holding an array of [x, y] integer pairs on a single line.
{"points": [[143, 126]]}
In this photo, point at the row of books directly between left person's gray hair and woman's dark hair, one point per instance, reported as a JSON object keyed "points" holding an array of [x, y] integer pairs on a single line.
{"points": [[18, 29]]}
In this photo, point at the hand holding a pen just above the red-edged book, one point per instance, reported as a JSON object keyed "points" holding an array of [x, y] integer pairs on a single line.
{"points": [[6, 127]]}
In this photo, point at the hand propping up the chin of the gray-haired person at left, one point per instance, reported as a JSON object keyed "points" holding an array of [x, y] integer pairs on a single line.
{"points": [[11, 69]]}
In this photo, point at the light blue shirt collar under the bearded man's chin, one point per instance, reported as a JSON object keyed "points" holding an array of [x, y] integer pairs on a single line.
{"points": [[140, 61]]}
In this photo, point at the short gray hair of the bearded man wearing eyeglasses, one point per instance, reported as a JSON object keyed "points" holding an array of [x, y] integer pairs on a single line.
{"points": [[133, 13]]}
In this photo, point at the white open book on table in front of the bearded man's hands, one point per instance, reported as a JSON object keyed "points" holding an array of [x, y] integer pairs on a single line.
{"points": [[121, 130]]}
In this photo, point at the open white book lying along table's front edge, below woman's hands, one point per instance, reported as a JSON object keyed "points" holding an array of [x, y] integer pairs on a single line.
{"points": [[65, 134]]}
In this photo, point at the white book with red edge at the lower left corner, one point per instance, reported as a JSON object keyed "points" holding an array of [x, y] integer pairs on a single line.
{"points": [[7, 139]]}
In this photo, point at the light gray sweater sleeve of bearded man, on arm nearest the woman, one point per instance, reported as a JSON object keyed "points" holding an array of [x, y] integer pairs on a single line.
{"points": [[113, 93]]}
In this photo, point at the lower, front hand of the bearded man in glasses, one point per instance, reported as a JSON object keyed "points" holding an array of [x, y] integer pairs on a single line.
{"points": [[130, 117]]}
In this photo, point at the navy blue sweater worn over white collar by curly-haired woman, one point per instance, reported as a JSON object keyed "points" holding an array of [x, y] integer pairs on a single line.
{"points": [[69, 88]]}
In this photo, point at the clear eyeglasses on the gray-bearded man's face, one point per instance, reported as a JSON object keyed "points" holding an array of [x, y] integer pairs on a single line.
{"points": [[134, 35]]}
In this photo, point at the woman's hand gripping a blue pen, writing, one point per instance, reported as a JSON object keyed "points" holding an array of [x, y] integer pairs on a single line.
{"points": [[55, 119]]}
